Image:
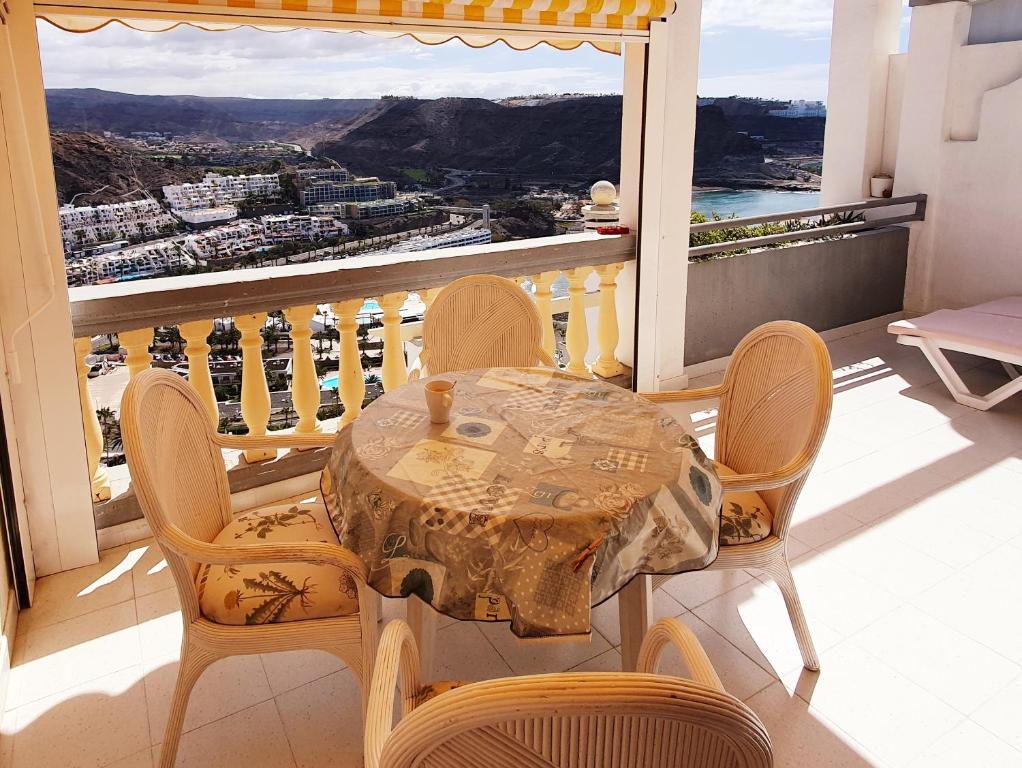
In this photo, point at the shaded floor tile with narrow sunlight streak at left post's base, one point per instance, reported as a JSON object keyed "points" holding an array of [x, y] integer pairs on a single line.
{"points": [[73, 594]]}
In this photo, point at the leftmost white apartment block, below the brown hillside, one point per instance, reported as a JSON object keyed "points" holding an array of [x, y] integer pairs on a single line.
{"points": [[88, 224]]}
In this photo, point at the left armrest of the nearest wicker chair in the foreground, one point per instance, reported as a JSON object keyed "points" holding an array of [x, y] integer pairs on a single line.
{"points": [[397, 661]]}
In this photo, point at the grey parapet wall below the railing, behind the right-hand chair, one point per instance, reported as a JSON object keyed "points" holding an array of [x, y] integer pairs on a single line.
{"points": [[823, 285]]}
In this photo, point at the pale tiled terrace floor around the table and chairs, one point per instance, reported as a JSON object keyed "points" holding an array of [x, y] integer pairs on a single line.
{"points": [[906, 546]]}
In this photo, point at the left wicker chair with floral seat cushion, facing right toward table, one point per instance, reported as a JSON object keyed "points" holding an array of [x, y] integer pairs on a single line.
{"points": [[282, 561]]}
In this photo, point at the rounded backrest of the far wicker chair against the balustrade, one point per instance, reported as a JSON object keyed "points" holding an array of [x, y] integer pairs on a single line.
{"points": [[479, 323]]}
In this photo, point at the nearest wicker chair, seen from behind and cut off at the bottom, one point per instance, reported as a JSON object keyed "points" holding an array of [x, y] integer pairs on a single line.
{"points": [[587, 720]]}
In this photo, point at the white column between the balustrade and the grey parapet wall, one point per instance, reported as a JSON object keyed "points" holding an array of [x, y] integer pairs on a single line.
{"points": [[669, 150]]}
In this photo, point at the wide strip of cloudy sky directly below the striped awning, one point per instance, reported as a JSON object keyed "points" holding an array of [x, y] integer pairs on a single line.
{"points": [[311, 64]]}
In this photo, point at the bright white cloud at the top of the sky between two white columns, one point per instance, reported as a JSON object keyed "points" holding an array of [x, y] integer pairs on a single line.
{"points": [[797, 18]]}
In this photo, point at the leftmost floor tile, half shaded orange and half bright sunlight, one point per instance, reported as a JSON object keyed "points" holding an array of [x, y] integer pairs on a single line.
{"points": [[58, 657]]}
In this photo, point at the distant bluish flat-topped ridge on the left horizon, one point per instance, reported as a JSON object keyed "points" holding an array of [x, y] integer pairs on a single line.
{"points": [[221, 118]]}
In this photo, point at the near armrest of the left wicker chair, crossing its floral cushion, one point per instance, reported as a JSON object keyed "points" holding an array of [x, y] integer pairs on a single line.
{"points": [[318, 553]]}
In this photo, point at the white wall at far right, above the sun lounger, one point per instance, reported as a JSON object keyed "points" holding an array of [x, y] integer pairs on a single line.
{"points": [[959, 144]]}
